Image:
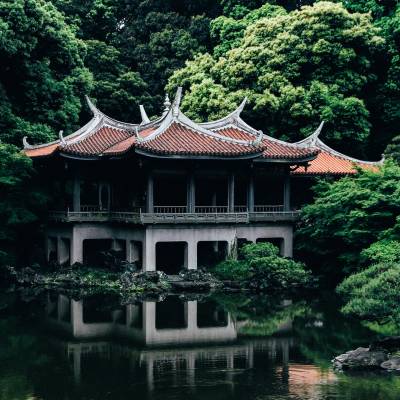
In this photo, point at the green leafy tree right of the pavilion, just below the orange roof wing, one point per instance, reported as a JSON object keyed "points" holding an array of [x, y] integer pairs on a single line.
{"points": [[349, 215]]}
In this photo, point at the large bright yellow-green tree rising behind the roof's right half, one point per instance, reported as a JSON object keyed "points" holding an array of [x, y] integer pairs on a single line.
{"points": [[311, 64]]}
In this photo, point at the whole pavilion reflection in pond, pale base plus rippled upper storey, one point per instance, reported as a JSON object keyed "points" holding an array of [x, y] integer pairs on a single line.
{"points": [[171, 323]]}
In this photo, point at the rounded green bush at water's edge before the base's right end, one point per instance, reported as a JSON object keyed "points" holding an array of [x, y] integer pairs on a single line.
{"points": [[262, 268]]}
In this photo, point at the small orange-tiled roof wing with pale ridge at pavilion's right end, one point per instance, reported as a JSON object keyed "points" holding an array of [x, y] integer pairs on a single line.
{"points": [[329, 161]]}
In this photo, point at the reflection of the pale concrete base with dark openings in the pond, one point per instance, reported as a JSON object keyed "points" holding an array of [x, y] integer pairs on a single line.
{"points": [[149, 322]]}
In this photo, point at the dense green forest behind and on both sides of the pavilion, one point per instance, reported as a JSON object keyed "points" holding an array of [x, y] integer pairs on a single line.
{"points": [[298, 62]]}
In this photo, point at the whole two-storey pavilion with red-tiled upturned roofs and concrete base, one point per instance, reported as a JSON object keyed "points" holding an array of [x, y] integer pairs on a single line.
{"points": [[173, 193]]}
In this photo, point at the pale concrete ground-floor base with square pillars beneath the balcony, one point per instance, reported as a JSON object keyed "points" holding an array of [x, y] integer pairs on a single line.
{"points": [[67, 240]]}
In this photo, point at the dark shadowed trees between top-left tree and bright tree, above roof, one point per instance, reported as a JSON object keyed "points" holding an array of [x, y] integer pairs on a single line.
{"points": [[140, 44]]}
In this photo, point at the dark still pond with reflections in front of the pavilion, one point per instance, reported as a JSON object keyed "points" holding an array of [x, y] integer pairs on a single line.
{"points": [[217, 347]]}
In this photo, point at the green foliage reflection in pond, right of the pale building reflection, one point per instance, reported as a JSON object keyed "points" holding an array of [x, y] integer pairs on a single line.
{"points": [[321, 331]]}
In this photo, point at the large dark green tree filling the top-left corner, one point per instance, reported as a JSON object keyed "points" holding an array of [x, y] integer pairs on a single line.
{"points": [[42, 74]]}
